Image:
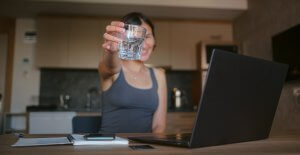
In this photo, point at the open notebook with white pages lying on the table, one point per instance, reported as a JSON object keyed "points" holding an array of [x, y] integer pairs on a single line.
{"points": [[74, 139]]}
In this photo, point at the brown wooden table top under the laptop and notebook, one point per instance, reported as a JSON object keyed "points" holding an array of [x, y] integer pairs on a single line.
{"points": [[285, 144]]}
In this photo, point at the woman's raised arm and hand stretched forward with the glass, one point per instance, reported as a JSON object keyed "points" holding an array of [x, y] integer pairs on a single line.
{"points": [[110, 64]]}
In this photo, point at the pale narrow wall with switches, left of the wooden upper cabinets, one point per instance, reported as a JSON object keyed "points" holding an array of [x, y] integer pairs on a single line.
{"points": [[26, 77]]}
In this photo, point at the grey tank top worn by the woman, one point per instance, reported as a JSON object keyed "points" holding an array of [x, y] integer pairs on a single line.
{"points": [[126, 109]]}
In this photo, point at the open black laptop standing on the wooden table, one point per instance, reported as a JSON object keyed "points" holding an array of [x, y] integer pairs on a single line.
{"points": [[238, 102]]}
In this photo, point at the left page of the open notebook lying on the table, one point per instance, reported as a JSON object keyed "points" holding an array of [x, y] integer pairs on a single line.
{"points": [[41, 141]]}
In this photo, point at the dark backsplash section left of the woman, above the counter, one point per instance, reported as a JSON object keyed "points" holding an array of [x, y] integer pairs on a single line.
{"points": [[75, 83]]}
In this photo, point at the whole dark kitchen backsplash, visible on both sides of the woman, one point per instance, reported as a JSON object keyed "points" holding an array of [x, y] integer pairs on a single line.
{"points": [[77, 83]]}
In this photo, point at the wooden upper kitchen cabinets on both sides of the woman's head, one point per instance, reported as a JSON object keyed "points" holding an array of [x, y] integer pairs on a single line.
{"points": [[76, 42]]}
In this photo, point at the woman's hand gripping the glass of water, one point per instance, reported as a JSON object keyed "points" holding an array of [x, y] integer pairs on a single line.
{"points": [[111, 40]]}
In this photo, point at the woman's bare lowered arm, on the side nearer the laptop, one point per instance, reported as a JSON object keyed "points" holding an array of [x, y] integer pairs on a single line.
{"points": [[159, 118]]}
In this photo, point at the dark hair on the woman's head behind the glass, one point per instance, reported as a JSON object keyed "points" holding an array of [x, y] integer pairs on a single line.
{"points": [[136, 18]]}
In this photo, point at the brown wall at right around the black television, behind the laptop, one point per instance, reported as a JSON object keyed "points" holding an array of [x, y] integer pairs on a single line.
{"points": [[253, 31]]}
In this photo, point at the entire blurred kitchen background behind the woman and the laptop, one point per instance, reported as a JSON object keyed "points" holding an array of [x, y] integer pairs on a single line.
{"points": [[50, 50]]}
